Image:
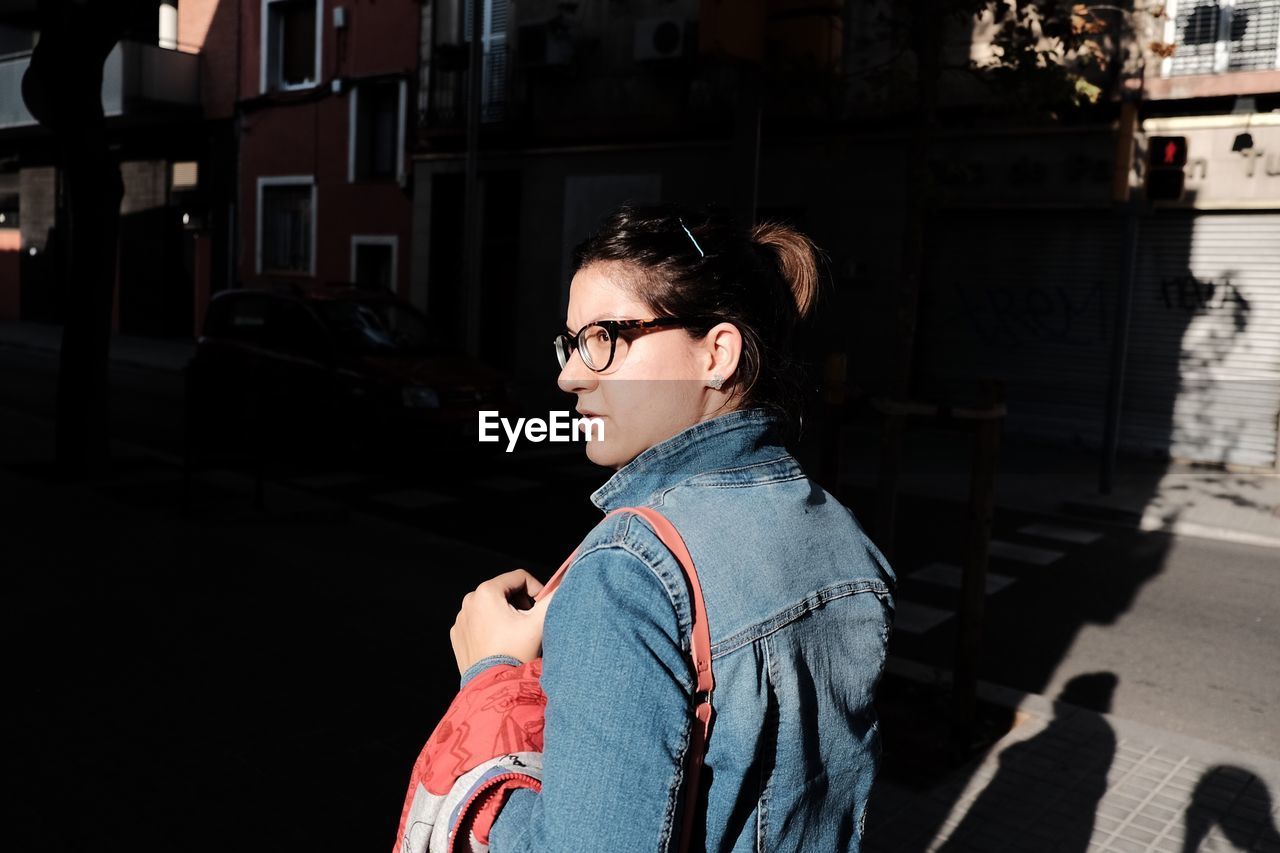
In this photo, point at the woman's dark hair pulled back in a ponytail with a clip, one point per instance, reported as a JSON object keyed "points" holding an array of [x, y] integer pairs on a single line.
{"points": [[762, 280]]}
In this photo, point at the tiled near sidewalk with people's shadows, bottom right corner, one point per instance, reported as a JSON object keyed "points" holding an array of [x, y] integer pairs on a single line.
{"points": [[1072, 781]]}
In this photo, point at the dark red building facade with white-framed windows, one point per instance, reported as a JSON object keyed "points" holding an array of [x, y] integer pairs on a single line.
{"points": [[323, 95]]}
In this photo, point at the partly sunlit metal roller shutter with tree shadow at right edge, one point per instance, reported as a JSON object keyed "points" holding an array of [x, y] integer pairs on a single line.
{"points": [[1204, 375]]}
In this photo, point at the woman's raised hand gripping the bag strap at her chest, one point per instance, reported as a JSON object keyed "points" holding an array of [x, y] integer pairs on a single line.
{"points": [[500, 618]]}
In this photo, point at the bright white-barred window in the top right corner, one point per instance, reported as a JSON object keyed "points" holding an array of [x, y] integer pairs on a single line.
{"points": [[1223, 37]]}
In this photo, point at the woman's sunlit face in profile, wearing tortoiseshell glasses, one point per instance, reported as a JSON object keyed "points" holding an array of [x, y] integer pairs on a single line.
{"points": [[659, 382]]}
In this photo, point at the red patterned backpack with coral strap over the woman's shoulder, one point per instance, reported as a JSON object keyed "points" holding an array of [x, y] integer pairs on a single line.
{"points": [[491, 740]]}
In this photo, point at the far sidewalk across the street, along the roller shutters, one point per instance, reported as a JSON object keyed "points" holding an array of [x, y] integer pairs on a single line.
{"points": [[1149, 495]]}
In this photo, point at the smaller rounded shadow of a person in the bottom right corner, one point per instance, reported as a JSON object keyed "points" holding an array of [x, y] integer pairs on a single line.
{"points": [[1237, 802]]}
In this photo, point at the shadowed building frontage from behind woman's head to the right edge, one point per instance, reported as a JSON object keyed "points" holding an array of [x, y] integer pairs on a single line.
{"points": [[1028, 270]]}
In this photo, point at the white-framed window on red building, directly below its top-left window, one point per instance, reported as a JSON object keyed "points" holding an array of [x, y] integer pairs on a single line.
{"points": [[286, 225]]}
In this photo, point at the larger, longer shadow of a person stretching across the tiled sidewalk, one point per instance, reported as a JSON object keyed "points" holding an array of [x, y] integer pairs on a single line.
{"points": [[1045, 795]]}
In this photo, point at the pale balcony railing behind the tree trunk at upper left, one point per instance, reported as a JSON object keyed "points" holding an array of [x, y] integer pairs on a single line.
{"points": [[138, 79]]}
